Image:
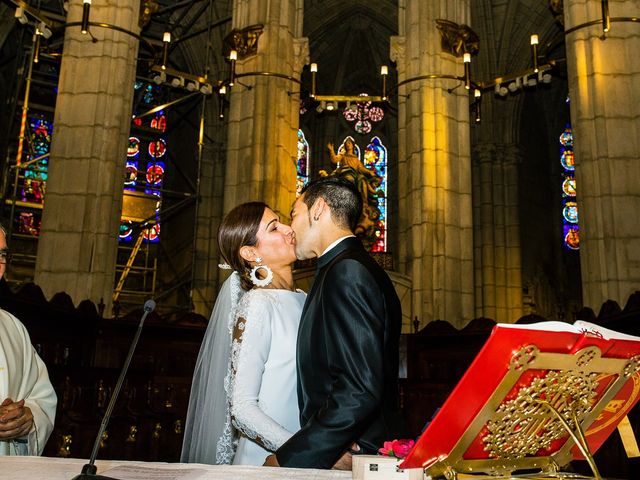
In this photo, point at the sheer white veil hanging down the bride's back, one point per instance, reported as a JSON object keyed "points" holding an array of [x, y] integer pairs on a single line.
{"points": [[209, 436]]}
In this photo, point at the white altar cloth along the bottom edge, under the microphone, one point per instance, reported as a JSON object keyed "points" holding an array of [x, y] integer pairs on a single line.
{"points": [[49, 468]]}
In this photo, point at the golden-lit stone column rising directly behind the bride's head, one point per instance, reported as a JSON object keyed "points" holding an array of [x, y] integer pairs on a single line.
{"points": [[264, 117]]}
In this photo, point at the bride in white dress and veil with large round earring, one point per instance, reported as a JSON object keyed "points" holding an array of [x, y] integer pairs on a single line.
{"points": [[243, 402]]}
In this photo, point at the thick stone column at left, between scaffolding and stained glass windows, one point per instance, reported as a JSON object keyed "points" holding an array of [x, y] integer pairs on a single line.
{"points": [[79, 236]]}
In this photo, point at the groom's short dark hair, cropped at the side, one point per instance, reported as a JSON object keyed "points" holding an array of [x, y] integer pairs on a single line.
{"points": [[342, 196]]}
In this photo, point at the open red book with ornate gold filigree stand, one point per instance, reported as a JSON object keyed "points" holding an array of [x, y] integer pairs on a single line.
{"points": [[528, 387]]}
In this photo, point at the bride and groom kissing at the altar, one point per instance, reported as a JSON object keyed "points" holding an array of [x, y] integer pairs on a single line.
{"points": [[289, 379]]}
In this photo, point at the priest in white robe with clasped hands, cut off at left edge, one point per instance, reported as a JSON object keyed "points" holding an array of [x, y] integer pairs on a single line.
{"points": [[28, 405]]}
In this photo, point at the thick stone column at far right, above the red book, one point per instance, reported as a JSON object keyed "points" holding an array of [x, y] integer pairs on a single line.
{"points": [[604, 79]]}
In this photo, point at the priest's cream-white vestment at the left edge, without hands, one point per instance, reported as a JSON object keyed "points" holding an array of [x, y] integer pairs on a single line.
{"points": [[23, 375]]}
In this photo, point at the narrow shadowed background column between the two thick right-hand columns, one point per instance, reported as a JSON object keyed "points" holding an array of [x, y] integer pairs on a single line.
{"points": [[498, 269]]}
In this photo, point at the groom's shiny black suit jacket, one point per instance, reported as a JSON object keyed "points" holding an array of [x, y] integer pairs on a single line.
{"points": [[347, 359]]}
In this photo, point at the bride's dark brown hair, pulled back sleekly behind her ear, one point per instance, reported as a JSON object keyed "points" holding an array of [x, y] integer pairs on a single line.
{"points": [[239, 228]]}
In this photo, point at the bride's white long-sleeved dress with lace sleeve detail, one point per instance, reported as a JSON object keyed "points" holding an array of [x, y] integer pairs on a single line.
{"points": [[261, 383]]}
